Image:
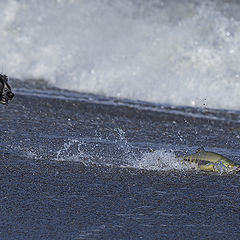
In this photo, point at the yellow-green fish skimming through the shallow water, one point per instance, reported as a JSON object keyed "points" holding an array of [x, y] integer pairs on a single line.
{"points": [[210, 162]]}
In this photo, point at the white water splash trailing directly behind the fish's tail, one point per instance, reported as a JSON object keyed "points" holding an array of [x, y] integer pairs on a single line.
{"points": [[160, 160]]}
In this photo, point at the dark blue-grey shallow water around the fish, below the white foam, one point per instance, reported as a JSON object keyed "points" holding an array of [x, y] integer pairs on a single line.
{"points": [[71, 168]]}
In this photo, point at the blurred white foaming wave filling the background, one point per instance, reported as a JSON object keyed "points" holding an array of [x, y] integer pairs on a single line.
{"points": [[168, 52]]}
